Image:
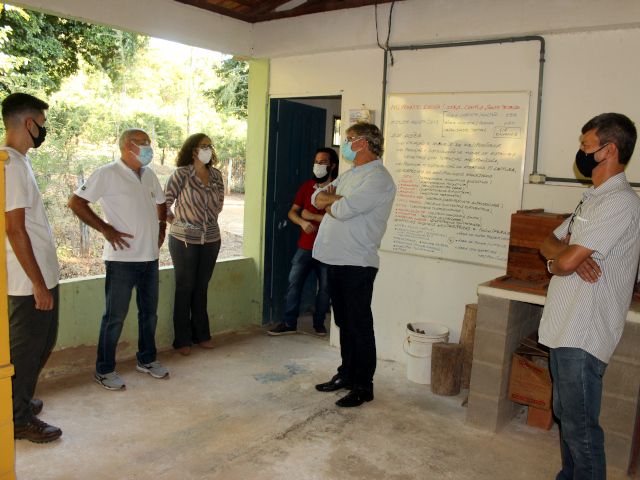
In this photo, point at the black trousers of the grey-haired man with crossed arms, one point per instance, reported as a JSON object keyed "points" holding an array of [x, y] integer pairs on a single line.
{"points": [[351, 289]]}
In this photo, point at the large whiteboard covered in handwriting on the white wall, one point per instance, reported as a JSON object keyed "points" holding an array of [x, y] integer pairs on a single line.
{"points": [[458, 162]]}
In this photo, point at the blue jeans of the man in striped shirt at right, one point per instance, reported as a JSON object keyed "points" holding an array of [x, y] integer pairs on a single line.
{"points": [[577, 393]]}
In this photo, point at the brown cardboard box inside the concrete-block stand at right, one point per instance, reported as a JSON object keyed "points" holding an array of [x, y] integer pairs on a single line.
{"points": [[530, 382]]}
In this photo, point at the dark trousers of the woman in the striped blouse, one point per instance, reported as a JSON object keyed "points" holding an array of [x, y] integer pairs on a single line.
{"points": [[193, 266]]}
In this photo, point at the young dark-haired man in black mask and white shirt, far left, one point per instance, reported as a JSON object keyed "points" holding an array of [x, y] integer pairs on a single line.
{"points": [[32, 265]]}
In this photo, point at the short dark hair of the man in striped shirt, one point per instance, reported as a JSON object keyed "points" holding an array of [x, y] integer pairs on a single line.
{"points": [[614, 128]]}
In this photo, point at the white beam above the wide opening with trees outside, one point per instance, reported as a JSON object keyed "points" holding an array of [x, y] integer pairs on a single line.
{"points": [[165, 19]]}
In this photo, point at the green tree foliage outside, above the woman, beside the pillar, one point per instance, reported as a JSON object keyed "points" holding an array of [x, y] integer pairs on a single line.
{"points": [[232, 95]]}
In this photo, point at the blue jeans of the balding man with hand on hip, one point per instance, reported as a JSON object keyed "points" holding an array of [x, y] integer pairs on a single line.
{"points": [[119, 283]]}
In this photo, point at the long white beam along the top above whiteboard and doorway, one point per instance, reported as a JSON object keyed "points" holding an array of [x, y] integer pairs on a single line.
{"points": [[435, 21]]}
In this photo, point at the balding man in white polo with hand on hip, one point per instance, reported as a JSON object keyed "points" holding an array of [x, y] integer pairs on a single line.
{"points": [[134, 205]]}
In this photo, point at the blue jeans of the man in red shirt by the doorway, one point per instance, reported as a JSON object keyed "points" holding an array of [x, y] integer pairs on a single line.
{"points": [[301, 265]]}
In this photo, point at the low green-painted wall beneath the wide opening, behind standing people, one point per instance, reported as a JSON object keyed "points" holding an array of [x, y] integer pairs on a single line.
{"points": [[232, 305]]}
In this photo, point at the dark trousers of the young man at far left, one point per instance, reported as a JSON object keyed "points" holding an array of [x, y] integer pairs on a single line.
{"points": [[32, 336]]}
